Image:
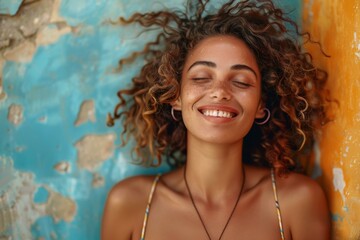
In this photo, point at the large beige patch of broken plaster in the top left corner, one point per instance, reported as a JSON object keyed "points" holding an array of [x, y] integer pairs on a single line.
{"points": [[36, 23]]}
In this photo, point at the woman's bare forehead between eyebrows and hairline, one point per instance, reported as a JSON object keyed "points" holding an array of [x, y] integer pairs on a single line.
{"points": [[223, 50]]}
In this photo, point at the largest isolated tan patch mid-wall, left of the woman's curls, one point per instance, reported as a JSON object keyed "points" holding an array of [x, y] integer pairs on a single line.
{"points": [[93, 150]]}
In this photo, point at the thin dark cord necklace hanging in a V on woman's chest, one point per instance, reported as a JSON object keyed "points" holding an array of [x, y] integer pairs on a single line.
{"points": [[198, 213]]}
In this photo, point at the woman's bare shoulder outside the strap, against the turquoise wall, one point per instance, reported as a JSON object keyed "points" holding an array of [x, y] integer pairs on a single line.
{"points": [[125, 207]]}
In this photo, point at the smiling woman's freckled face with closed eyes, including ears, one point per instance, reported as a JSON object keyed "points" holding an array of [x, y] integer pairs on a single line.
{"points": [[220, 90]]}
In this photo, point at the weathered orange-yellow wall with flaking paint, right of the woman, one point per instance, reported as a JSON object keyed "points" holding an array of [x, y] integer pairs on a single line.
{"points": [[336, 24]]}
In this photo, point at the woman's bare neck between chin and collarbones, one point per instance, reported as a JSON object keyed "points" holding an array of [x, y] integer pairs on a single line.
{"points": [[214, 171]]}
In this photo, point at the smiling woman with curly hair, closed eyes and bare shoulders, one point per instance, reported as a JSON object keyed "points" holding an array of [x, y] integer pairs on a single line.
{"points": [[233, 103]]}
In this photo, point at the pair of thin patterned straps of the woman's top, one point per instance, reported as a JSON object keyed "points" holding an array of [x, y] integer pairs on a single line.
{"points": [[156, 180]]}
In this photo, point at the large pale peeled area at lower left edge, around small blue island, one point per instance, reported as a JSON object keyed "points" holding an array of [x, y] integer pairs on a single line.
{"points": [[17, 206]]}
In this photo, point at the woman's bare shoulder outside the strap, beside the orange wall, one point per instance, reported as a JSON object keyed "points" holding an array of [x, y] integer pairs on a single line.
{"points": [[304, 207]]}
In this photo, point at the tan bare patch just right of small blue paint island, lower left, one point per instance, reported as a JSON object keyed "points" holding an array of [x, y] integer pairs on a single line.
{"points": [[60, 207]]}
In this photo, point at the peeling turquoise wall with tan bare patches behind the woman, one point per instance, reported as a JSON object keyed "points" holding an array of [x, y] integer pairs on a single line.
{"points": [[58, 159]]}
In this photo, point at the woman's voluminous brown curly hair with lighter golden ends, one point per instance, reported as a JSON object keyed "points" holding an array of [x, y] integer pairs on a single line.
{"points": [[292, 87]]}
